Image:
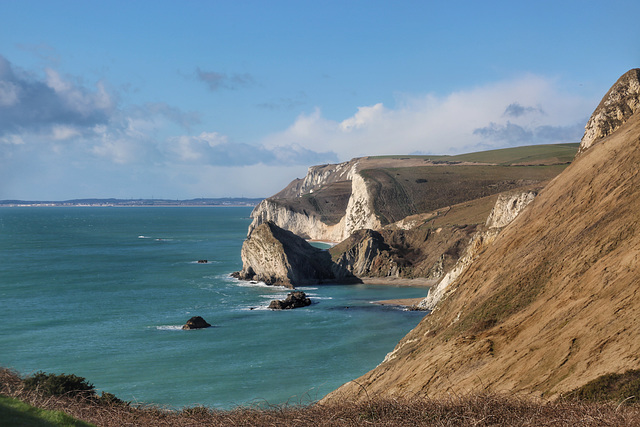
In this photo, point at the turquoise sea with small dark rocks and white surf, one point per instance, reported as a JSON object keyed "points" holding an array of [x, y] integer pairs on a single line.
{"points": [[102, 292]]}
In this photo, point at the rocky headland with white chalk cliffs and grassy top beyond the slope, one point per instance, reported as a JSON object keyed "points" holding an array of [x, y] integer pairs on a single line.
{"points": [[390, 217]]}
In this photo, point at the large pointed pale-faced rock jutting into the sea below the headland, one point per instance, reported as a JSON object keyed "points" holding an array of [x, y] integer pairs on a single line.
{"points": [[279, 257]]}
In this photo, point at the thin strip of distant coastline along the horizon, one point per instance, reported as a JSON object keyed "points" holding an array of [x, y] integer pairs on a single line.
{"points": [[203, 202]]}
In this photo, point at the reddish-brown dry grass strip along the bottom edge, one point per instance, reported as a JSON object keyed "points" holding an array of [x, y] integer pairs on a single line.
{"points": [[474, 410]]}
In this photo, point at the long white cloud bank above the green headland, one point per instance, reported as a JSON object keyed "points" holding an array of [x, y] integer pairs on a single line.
{"points": [[447, 124]]}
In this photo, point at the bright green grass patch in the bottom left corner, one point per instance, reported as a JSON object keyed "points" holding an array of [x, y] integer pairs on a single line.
{"points": [[14, 412]]}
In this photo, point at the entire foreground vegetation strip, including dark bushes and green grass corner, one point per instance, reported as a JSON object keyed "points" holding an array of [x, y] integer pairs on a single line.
{"points": [[22, 404]]}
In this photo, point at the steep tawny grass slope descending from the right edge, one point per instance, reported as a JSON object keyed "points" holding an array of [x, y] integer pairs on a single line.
{"points": [[551, 305]]}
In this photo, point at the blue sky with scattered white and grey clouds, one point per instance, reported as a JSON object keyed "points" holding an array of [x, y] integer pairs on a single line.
{"points": [[187, 99]]}
